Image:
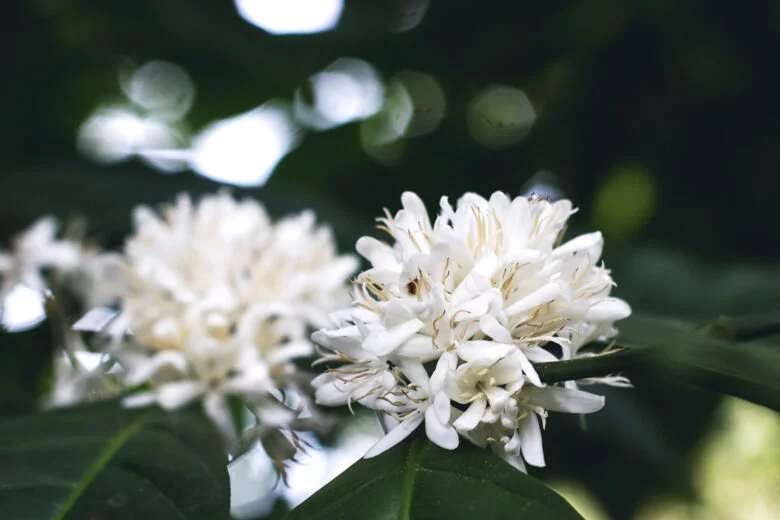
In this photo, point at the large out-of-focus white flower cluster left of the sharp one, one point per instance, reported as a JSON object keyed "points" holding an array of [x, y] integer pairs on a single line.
{"points": [[219, 301]]}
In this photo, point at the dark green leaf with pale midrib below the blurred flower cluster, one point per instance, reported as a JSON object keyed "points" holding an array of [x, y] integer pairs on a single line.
{"points": [[102, 461]]}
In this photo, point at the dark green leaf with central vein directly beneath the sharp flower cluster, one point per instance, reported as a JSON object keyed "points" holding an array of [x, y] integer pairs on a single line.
{"points": [[417, 480]]}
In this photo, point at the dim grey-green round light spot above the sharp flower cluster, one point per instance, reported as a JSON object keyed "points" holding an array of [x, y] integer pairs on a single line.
{"points": [[500, 116]]}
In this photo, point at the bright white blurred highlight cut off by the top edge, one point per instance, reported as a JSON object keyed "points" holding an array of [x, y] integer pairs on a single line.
{"points": [[291, 16]]}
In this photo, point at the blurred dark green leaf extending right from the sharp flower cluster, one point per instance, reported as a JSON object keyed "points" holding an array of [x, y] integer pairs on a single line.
{"points": [[748, 370]]}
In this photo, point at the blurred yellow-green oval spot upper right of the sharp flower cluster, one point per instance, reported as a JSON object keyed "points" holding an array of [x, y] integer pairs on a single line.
{"points": [[626, 201]]}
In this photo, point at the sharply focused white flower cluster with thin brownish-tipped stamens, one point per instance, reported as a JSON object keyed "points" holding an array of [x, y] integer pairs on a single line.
{"points": [[450, 318]]}
